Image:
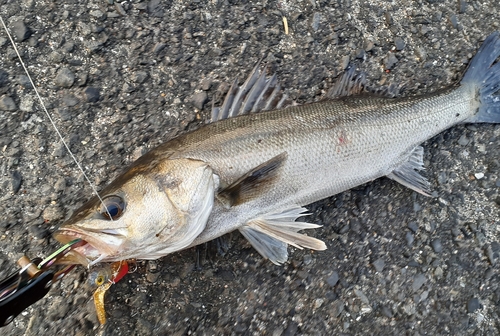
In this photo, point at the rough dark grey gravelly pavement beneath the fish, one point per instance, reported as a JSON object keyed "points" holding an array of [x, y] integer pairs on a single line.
{"points": [[120, 78]]}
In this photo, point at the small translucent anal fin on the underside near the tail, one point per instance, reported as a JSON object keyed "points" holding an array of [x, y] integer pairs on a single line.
{"points": [[407, 173]]}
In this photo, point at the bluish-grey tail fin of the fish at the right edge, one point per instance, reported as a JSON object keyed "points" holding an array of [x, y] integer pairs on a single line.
{"points": [[484, 74]]}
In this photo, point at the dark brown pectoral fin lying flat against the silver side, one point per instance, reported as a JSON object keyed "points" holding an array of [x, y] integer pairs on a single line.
{"points": [[253, 183]]}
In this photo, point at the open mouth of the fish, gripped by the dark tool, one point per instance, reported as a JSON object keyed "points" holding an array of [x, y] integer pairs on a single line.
{"points": [[99, 245]]}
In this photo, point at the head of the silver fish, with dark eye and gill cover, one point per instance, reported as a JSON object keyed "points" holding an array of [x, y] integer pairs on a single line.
{"points": [[153, 209]]}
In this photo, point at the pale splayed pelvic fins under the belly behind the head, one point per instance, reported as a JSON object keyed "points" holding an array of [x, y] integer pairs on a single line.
{"points": [[271, 234]]}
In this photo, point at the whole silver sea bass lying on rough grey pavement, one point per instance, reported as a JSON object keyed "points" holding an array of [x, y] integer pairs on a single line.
{"points": [[255, 172]]}
